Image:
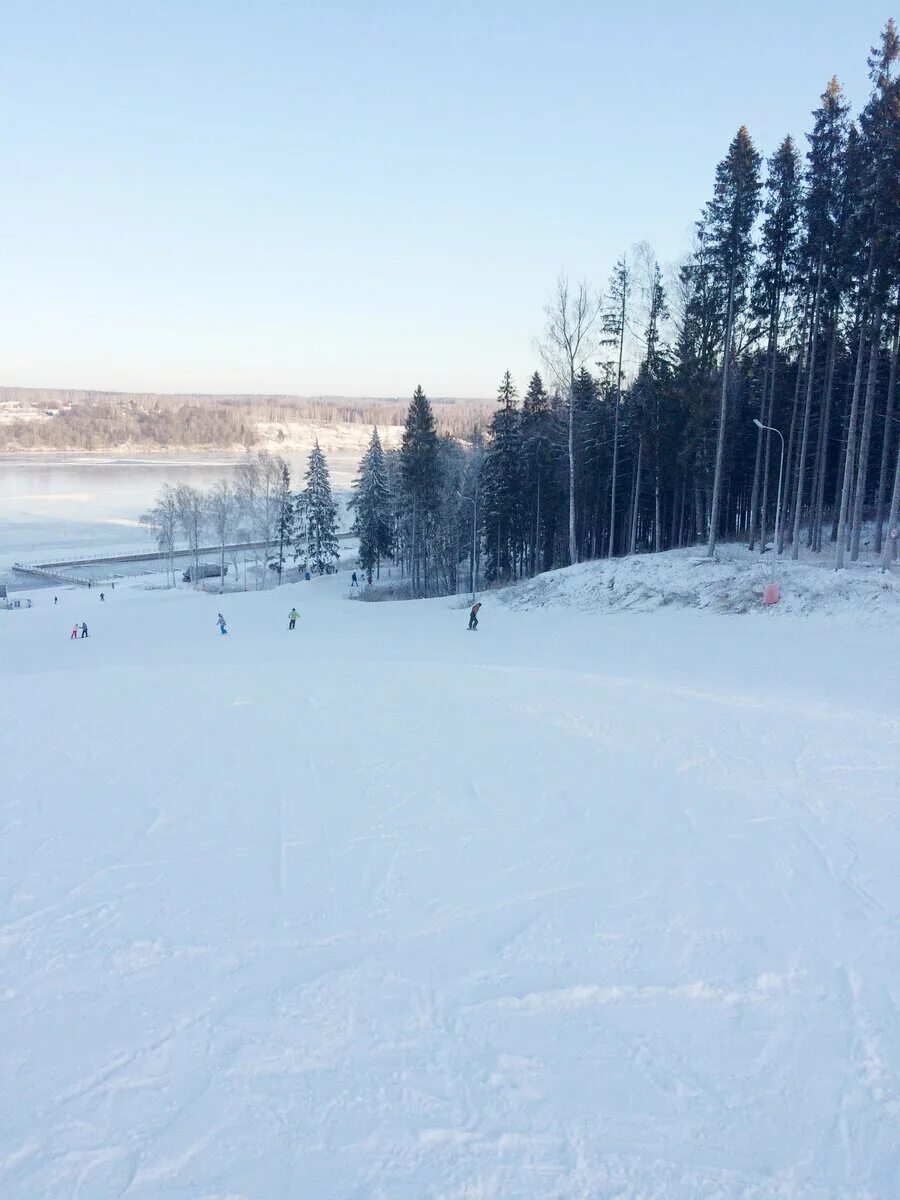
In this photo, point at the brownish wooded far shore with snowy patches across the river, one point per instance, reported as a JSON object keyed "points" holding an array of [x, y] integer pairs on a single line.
{"points": [[86, 421]]}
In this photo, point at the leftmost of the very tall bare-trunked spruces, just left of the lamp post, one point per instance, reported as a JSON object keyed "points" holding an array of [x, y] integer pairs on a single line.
{"points": [[731, 215]]}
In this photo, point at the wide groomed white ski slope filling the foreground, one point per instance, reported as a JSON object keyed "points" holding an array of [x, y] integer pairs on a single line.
{"points": [[580, 907]]}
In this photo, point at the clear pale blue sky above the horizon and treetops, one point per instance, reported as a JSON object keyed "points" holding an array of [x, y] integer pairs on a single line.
{"points": [[357, 197]]}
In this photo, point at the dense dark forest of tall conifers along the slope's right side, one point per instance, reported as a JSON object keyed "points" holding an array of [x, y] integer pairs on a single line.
{"points": [[761, 403]]}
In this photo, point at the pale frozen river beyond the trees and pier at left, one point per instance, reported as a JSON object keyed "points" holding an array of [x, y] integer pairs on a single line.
{"points": [[56, 507]]}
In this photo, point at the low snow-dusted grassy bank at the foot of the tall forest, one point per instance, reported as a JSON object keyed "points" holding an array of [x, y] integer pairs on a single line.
{"points": [[731, 583]]}
